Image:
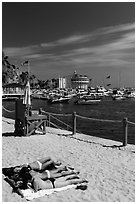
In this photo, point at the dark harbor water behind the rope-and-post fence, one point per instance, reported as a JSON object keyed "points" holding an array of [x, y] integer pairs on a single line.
{"points": [[106, 110]]}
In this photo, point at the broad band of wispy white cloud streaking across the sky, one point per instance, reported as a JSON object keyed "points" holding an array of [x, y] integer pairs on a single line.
{"points": [[109, 46]]}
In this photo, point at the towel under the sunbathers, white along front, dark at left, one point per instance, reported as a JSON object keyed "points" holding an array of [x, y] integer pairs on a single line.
{"points": [[11, 176]]}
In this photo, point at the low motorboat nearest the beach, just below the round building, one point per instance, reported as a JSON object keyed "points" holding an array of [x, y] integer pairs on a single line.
{"points": [[83, 101]]}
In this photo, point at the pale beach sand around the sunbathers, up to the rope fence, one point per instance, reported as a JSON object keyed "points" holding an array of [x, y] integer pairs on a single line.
{"points": [[109, 168]]}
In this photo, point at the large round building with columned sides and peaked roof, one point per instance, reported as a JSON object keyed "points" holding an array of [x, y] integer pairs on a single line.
{"points": [[79, 81]]}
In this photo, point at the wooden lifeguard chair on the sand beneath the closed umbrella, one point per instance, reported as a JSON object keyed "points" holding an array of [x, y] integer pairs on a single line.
{"points": [[27, 121]]}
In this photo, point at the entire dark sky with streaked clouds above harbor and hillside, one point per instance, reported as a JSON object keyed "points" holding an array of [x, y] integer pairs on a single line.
{"points": [[57, 38]]}
